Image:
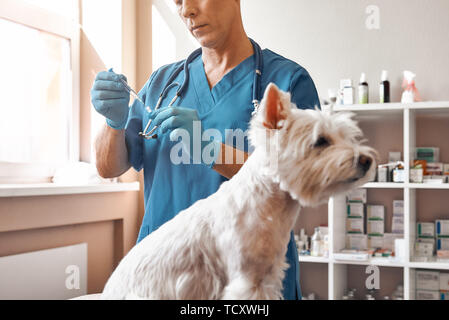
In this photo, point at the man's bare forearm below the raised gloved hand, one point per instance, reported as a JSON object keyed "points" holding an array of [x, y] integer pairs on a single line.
{"points": [[112, 154]]}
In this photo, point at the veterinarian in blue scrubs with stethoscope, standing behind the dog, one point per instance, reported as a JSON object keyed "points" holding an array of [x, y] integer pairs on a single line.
{"points": [[219, 95]]}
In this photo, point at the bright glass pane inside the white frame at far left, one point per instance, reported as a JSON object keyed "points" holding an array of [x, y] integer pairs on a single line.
{"points": [[35, 89]]}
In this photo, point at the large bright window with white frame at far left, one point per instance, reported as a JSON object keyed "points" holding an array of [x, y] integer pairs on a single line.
{"points": [[39, 85]]}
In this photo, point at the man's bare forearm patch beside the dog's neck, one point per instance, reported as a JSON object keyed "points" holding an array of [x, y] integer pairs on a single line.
{"points": [[229, 161]]}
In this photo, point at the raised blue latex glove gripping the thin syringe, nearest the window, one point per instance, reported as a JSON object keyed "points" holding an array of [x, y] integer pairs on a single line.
{"points": [[111, 99]]}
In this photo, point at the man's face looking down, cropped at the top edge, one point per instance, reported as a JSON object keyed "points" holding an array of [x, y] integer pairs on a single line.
{"points": [[209, 21]]}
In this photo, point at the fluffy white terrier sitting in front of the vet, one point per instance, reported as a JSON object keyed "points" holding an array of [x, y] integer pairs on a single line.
{"points": [[232, 245]]}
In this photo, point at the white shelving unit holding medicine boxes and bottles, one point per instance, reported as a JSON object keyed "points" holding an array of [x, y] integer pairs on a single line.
{"points": [[375, 114]]}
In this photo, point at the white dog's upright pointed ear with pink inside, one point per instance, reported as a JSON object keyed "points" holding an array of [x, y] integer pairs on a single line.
{"points": [[274, 107]]}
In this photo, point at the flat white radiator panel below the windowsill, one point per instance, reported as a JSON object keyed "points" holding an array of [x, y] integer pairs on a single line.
{"points": [[59, 273]]}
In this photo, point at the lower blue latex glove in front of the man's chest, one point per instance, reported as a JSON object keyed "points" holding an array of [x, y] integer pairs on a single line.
{"points": [[184, 123]]}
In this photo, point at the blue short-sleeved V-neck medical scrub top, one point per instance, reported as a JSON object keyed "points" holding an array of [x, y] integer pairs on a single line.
{"points": [[169, 188]]}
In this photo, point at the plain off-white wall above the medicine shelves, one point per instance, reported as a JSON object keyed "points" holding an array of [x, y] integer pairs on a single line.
{"points": [[330, 39]]}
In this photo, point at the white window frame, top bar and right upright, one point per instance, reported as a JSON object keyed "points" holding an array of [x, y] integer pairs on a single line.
{"points": [[29, 15]]}
